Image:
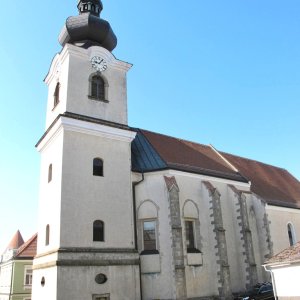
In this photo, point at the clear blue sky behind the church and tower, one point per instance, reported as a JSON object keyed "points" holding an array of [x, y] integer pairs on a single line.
{"points": [[219, 72]]}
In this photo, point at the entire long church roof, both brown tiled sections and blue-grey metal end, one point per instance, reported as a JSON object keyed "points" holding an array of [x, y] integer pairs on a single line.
{"points": [[153, 151]]}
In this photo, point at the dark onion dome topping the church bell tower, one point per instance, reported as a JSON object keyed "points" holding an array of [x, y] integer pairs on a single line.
{"points": [[88, 29]]}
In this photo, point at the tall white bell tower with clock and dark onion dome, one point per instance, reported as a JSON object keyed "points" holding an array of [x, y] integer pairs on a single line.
{"points": [[86, 246]]}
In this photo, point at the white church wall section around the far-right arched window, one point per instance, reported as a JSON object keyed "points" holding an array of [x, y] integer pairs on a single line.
{"points": [[279, 218]]}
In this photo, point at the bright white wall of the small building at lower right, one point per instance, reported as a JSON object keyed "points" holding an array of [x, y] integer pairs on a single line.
{"points": [[287, 281]]}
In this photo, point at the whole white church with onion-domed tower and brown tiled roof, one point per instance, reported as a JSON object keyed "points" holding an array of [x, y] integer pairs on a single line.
{"points": [[129, 214]]}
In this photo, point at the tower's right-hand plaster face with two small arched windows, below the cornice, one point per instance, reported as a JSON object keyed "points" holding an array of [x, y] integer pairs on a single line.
{"points": [[86, 198]]}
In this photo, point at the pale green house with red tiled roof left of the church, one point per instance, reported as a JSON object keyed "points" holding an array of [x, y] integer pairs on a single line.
{"points": [[16, 269]]}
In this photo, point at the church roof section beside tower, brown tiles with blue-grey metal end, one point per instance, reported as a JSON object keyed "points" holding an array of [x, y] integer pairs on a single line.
{"points": [[153, 151]]}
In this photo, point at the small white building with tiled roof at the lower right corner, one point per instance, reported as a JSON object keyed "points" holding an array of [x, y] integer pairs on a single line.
{"points": [[285, 270]]}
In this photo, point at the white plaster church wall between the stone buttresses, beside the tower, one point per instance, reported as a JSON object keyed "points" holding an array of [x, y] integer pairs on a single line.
{"points": [[202, 280]]}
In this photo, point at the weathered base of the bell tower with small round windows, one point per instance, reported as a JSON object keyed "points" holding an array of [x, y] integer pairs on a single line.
{"points": [[106, 274]]}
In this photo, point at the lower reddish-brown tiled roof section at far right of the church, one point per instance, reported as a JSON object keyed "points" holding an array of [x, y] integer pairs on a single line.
{"points": [[275, 185]]}
